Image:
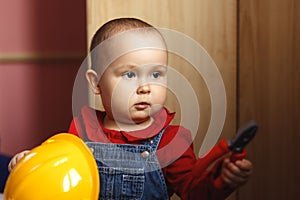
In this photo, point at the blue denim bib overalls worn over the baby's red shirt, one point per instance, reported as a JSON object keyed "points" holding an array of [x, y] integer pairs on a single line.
{"points": [[129, 171]]}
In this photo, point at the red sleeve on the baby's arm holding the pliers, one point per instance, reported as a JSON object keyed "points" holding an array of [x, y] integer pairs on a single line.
{"points": [[181, 176]]}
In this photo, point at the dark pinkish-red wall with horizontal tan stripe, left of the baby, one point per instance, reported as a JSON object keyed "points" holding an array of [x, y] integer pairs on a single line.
{"points": [[42, 44]]}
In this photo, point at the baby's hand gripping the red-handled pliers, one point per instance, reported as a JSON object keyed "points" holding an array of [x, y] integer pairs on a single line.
{"points": [[237, 173]]}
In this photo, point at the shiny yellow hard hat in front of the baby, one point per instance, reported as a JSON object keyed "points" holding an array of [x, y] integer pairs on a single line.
{"points": [[61, 168]]}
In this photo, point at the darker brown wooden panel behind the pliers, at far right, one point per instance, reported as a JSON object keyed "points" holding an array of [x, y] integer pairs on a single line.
{"points": [[269, 91]]}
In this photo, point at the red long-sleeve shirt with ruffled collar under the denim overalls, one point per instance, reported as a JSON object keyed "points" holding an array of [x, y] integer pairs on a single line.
{"points": [[175, 152]]}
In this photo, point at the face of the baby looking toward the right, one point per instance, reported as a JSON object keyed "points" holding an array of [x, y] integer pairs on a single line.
{"points": [[133, 87]]}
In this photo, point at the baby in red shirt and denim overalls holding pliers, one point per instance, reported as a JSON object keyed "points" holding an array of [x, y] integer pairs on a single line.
{"points": [[138, 153]]}
